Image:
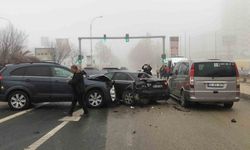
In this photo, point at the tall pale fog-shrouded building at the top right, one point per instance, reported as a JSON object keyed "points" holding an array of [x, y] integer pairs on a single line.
{"points": [[236, 28]]}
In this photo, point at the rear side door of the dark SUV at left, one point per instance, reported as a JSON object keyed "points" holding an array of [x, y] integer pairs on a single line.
{"points": [[38, 79]]}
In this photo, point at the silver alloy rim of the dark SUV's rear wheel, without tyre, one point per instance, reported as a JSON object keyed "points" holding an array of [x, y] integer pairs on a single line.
{"points": [[18, 101]]}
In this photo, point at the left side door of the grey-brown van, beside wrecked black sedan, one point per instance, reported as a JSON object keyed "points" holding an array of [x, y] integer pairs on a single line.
{"points": [[173, 79]]}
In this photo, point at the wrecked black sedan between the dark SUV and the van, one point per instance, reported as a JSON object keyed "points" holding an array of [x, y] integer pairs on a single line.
{"points": [[138, 87]]}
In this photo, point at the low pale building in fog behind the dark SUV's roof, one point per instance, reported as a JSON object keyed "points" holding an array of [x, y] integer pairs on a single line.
{"points": [[45, 54]]}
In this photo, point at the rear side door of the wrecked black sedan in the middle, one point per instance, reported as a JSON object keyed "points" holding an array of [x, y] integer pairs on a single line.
{"points": [[122, 81]]}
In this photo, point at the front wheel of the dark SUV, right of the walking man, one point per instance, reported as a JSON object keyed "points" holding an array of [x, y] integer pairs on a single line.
{"points": [[95, 98]]}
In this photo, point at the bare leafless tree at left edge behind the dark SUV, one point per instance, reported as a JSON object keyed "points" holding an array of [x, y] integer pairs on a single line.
{"points": [[12, 46]]}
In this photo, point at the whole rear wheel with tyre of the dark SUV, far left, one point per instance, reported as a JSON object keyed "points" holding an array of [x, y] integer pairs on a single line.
{"points": [[18, 100]]}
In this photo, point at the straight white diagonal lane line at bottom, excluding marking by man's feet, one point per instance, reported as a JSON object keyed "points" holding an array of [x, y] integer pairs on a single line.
{"points": [[43, 139]]}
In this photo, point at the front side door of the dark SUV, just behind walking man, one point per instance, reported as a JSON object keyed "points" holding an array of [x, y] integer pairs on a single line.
{"points": [[62, 91]]}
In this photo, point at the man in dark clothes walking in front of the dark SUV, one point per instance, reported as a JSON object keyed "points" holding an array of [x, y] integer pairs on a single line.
{"points": [[77, 83]]}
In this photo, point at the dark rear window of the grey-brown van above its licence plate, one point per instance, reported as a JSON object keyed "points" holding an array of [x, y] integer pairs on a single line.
{"points": [[215, 69]]}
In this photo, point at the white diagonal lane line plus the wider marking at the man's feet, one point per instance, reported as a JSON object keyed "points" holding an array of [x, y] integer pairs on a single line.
{"points": [[76, 117]]}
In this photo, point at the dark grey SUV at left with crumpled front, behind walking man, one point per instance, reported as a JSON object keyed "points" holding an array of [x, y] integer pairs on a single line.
{"points": [[27, 83]]}
